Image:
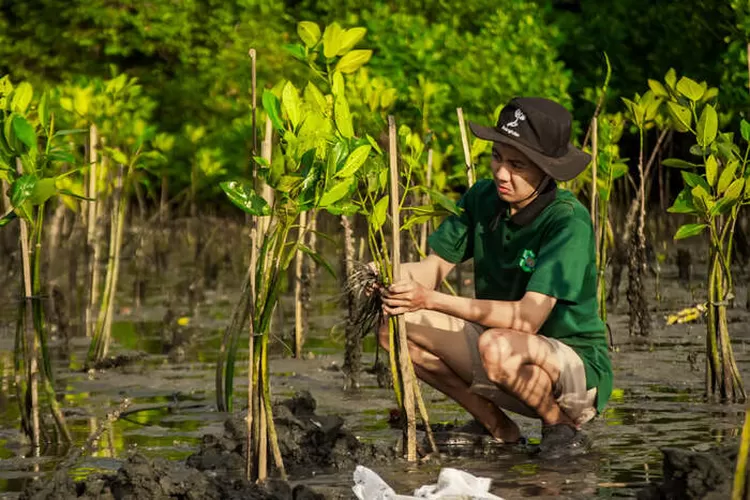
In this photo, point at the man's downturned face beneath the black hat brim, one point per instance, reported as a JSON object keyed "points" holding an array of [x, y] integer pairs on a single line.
{"points": [[515, 176]]}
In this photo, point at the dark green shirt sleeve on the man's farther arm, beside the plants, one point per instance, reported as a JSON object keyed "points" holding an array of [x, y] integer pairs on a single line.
{"points": [[453, 240]]}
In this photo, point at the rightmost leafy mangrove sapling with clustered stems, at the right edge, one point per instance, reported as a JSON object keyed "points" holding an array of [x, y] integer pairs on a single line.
{"points": [[715, 198]]}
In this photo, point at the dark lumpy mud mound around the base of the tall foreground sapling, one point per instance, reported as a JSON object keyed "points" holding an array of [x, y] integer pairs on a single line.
{"points": [[309, 443]]}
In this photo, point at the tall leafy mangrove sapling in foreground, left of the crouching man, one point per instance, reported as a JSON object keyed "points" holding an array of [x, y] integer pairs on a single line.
{"points": [[313, 166]]}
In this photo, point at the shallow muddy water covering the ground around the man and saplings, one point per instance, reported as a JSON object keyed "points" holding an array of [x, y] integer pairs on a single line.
{"points": [[657, 401]]}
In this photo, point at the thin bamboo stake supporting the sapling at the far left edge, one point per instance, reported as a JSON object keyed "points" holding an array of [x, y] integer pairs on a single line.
{"points": [[33, 369]]}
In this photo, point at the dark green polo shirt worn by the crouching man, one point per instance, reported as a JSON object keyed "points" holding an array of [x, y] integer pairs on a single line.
{"points": [[547, 247]]}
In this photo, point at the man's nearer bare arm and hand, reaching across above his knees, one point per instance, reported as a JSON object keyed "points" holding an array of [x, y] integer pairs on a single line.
{"points": [[525, 315]]}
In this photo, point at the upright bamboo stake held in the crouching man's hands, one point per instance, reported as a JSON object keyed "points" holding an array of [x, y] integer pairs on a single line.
{"points": [[404, 360]]}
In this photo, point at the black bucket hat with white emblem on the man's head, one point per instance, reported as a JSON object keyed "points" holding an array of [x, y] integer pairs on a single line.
{"points": [[540, 129]]}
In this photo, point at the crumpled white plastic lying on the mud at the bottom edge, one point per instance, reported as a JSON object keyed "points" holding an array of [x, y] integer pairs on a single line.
{"points": [[453, 484]]}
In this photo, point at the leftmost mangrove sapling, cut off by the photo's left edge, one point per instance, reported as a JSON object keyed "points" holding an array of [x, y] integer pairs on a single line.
{"points": [[30, 160]]}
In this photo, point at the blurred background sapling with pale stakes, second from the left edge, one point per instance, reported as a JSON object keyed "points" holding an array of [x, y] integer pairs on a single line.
{"points": [[119, 112]]}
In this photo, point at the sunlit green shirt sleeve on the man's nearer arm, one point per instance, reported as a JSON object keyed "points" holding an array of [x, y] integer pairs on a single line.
{"points": [[564, 259]]}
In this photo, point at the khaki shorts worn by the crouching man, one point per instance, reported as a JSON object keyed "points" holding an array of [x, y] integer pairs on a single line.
{"points": [[569, 390]]}
